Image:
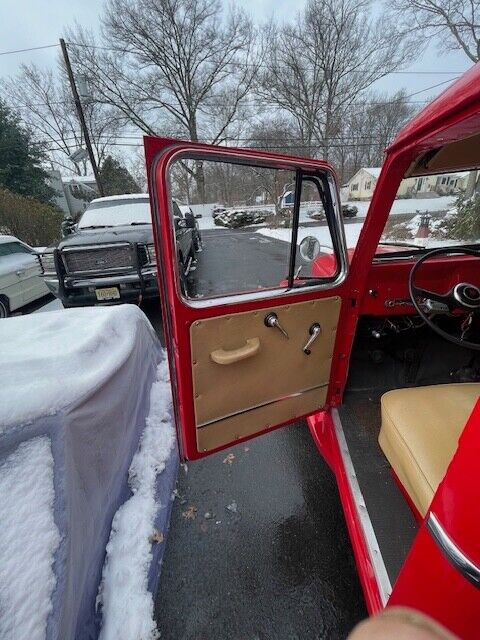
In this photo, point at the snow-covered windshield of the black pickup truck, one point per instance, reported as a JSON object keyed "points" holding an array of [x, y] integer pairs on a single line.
{"points": [[113, 213]]}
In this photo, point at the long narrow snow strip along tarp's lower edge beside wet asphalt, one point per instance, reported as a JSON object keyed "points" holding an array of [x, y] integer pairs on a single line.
{"points": [[127, 605]]}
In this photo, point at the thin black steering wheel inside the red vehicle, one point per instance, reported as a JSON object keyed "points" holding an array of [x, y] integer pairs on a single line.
{"points": [[462, 297]]}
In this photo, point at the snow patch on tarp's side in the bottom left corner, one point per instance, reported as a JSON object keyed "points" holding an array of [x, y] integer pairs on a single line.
{"points": [[28, 540]]}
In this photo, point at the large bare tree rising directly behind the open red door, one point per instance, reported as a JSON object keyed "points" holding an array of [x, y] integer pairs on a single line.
{"points": [[180, 67]]}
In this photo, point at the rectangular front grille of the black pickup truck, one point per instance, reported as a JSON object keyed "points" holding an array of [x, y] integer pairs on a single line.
{"points": [[99, 258]]}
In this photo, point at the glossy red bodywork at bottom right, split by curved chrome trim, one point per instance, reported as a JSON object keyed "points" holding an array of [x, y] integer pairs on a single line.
{"points": [[428, 581]]}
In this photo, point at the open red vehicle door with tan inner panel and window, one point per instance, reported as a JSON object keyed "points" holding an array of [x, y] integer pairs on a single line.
{"points": [[250, 333]]}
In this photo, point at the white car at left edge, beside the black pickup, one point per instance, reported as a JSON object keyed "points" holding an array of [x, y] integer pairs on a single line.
{"points": [[20, 275]]}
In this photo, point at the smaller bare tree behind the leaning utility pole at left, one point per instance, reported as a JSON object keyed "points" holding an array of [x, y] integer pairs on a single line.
{"points": [[43, 99]]}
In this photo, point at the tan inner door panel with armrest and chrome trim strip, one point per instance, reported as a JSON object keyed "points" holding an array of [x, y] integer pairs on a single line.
{"points": [[256, 376]]}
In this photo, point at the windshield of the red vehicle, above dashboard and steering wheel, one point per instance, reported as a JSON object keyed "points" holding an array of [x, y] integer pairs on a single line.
{"points": [[434, 211]]}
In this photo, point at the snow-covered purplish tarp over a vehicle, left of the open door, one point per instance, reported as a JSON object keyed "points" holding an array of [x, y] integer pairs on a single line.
{"points": [[78, 388]]}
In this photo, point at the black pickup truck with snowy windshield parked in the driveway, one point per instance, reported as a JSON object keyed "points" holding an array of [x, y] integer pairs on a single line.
{"points": [[109, 256]]}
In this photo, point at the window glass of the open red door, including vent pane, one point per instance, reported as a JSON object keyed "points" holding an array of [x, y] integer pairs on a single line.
{"points": [[251, 225]]}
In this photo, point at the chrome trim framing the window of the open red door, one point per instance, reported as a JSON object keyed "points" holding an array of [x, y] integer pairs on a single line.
{"points": [[273, 292]]}
